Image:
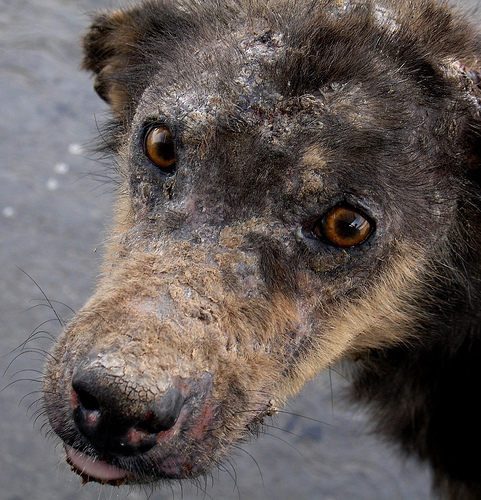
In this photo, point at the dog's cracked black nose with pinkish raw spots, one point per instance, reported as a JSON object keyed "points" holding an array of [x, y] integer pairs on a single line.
{"points": [[116, 424]]}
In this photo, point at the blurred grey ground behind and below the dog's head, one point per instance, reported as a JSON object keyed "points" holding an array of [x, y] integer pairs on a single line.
{"points": [[53, 215]]}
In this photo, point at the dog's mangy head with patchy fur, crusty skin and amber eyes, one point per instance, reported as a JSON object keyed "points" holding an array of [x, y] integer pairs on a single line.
{"points": [[288, 177]]}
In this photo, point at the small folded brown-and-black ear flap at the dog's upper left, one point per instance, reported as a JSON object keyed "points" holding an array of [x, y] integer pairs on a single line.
{"points": [[110, 47]]}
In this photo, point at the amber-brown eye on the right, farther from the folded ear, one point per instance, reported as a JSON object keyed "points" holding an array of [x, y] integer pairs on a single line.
{"points": [[344, 227]]}
